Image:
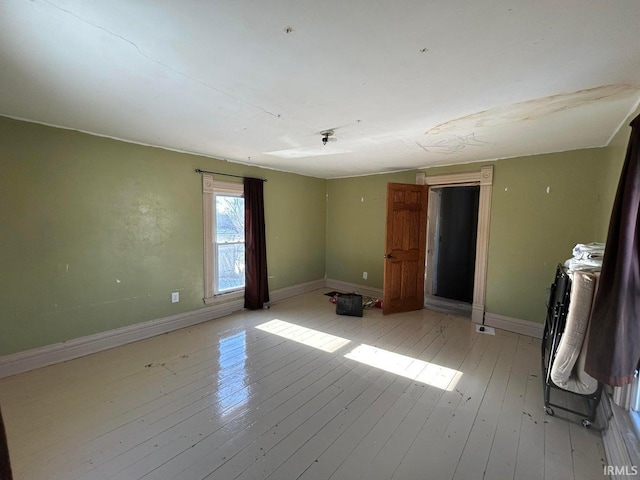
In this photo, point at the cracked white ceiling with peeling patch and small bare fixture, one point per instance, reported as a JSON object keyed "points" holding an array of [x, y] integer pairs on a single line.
{"points": [[404, 84]]}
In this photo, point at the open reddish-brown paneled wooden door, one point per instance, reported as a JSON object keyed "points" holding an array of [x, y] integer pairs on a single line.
{"points": [[405, 247]]}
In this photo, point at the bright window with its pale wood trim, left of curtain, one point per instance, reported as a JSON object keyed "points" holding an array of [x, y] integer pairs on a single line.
{"points": [[223, 206]]}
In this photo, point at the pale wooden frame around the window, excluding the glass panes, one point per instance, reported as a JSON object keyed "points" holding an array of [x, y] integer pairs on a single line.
{"points": [[210, 188]]}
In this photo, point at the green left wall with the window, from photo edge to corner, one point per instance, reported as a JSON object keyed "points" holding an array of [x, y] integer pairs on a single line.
{"points": [[95, 233]]}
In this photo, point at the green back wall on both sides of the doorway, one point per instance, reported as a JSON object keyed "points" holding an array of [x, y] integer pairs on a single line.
{"points": [[531, 230]]}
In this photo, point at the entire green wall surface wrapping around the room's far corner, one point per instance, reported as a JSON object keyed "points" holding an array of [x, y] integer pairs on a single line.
{"points": [[95, 233]]}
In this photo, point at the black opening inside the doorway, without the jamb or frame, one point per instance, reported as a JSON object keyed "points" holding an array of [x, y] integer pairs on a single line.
{"points": [[455, 252]]}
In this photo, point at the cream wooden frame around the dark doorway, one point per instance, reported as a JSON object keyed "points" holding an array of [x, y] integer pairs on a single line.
{"points": [[483, 178]]}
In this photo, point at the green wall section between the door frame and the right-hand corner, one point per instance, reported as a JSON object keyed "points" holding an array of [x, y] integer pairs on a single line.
{"points": [[532, 230]]}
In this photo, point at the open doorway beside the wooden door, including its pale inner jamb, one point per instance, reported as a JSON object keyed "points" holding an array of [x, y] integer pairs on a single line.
{"points": [[451, 249]]}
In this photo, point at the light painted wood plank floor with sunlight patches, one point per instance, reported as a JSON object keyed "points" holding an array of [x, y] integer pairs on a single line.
{"points": [[270, 395]]}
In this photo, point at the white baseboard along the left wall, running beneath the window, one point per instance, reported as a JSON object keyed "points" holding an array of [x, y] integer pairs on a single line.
{"points": [[79, 347]]}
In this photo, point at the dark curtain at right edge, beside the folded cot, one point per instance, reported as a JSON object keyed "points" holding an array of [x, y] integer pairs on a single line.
{"points": [[614, 341]]}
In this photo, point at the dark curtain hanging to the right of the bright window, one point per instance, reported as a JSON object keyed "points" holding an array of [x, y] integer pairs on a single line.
{"points": [[256, 289]]}
